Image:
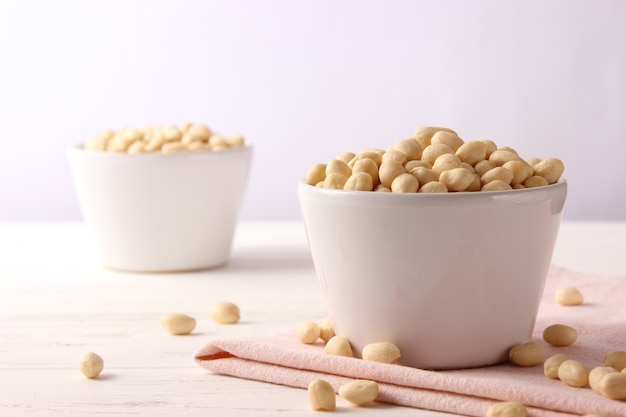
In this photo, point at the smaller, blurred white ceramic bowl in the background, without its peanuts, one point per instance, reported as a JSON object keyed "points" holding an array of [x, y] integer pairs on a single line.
{"points": [[161, 212]]}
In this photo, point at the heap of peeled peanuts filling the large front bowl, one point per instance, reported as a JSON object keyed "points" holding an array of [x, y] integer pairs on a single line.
{"points": [[435, 160]]}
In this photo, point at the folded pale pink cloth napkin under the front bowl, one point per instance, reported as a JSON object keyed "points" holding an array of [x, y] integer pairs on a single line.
{"points": [[601, 324]]}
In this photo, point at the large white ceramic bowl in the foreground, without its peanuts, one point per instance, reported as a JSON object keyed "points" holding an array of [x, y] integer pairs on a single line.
{"points": [[454, 280]]}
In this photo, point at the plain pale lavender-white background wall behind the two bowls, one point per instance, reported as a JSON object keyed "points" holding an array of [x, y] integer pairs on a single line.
{"points": [[304, 80]]}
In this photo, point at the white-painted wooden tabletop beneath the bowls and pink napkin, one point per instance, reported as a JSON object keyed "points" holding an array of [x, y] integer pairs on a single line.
{"points": [[56, 302]]}
